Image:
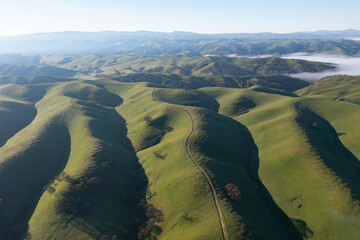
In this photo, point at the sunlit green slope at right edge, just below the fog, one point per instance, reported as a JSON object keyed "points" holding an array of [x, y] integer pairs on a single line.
{"points": [[336, 100]]}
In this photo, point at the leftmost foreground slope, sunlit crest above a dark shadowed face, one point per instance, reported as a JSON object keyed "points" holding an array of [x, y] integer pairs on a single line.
{"points": [[28, 161]]}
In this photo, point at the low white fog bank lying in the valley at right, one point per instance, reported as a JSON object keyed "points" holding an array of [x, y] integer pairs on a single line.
{"points": [[344, 65]]}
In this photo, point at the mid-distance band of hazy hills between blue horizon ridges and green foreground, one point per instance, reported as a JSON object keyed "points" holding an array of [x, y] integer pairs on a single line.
{"points": [[101, 66]]}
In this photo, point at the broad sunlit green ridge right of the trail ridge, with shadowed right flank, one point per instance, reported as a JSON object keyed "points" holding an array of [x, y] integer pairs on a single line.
{"points": [[295, 169]]}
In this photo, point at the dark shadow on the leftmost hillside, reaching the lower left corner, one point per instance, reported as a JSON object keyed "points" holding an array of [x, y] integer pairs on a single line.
{"points": [[29, 172]]}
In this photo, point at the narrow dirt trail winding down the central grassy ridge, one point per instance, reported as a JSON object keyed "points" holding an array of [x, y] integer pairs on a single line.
{"points": [[208, 180]]}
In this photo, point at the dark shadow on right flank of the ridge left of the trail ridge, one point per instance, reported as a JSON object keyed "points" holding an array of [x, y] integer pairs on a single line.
{"points": [[113, 204]]}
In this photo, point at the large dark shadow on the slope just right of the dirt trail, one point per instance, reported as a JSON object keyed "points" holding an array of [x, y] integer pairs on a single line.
{"points": [[226, 149]]}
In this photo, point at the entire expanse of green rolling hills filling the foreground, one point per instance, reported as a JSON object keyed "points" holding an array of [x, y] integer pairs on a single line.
{"points": [[147, 155]]}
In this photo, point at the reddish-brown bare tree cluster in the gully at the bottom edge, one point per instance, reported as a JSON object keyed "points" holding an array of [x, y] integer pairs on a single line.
{"points": [[150, 229]]}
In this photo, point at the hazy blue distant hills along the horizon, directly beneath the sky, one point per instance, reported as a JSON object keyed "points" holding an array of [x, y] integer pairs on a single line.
{"points": [[157, 43]]}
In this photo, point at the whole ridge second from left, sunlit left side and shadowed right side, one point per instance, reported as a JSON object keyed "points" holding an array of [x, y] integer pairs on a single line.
{"points": [[102, 182]]}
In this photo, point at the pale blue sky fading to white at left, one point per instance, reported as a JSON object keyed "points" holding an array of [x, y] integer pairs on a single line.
{"points": [[210, 16]]}
